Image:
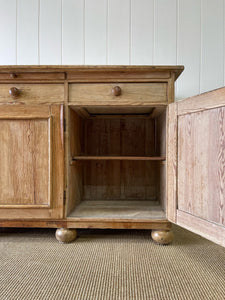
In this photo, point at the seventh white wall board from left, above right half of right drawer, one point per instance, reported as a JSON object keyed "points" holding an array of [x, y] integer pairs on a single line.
{"points": [[142, 26]]}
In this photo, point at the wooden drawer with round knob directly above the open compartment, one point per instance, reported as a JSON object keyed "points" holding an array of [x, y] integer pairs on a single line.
{"points": [[118, 93]]}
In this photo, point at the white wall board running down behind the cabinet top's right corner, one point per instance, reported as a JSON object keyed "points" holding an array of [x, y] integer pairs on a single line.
{"points": [[189, 47]]}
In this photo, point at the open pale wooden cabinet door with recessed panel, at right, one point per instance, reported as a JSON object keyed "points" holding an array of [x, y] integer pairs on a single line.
{"points": [[196, 164]]}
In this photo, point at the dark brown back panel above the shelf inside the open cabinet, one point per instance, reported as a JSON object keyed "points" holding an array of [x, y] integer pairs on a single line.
{"points": [[119, 137]]}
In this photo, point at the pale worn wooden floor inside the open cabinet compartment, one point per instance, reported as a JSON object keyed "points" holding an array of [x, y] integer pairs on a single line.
{"points": [[119, 209]]}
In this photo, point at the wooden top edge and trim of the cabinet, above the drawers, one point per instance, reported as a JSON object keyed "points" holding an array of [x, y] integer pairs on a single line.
{"points": [[89, 73]]}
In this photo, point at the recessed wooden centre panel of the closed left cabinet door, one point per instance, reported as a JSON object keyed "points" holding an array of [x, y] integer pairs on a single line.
{"points": [[24, 172]]}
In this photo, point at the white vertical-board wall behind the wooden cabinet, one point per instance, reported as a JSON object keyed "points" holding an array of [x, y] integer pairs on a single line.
{"points": [[188, 32]]}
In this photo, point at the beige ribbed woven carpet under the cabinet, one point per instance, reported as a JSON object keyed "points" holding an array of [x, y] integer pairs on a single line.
{"points": [[109, 264]]}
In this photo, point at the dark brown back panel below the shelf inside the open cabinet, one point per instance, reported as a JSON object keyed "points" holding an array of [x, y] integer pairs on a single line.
{"points": [[119, 180]]}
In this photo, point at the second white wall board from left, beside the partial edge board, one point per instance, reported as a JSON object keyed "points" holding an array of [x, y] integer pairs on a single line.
{"points": [[27, 32]]}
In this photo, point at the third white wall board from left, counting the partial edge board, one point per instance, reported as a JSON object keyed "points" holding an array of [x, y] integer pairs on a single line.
{"points": [[50, 34]]}
